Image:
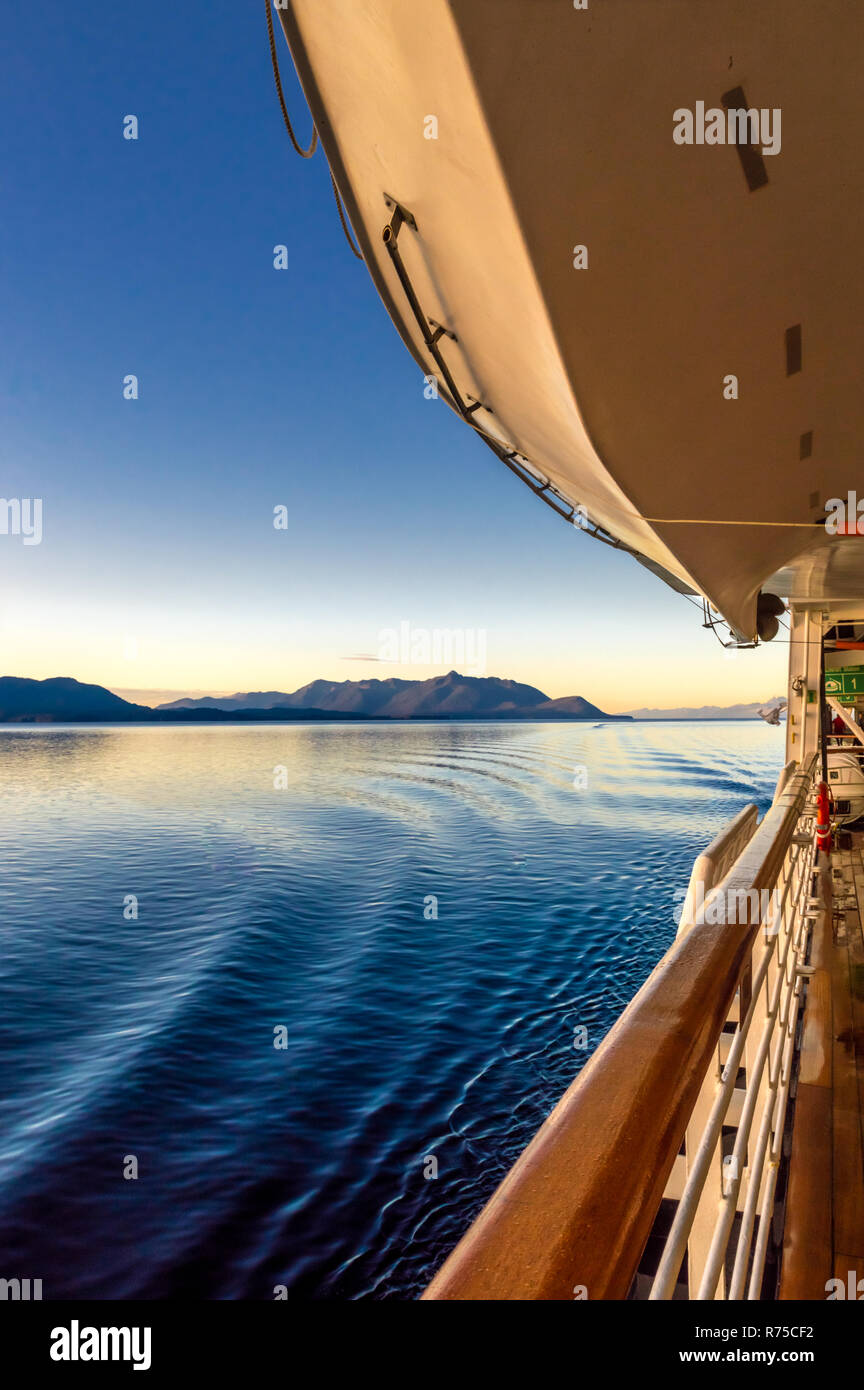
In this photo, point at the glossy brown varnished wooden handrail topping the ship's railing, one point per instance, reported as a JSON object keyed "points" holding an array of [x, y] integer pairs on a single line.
{"points": [[577, 1209]]}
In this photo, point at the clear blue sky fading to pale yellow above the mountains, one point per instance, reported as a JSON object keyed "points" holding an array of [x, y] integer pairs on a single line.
{"points": [[160, 569]]}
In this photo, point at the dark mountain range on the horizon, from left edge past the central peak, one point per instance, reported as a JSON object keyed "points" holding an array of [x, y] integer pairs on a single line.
{"points": [[63, 700]]}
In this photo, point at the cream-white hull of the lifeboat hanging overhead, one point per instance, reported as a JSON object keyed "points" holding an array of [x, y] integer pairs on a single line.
{"points": [[555, 130]]}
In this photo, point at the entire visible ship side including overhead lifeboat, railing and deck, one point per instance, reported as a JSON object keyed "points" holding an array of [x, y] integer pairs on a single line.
{"points": [[623, 238]]}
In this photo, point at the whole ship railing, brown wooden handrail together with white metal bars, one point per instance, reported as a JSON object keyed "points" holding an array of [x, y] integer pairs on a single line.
{"points": [[684, 1100]]}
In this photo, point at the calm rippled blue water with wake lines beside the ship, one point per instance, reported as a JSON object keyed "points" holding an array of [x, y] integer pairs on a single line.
{"points": [[306, 910]]}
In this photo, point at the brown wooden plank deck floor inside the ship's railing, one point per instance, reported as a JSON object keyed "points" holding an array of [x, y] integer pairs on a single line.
{"points": [[824, 1229]]}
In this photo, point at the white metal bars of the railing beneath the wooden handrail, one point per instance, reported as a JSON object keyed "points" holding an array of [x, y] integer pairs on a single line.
{"points": [[766, 1015]]}
